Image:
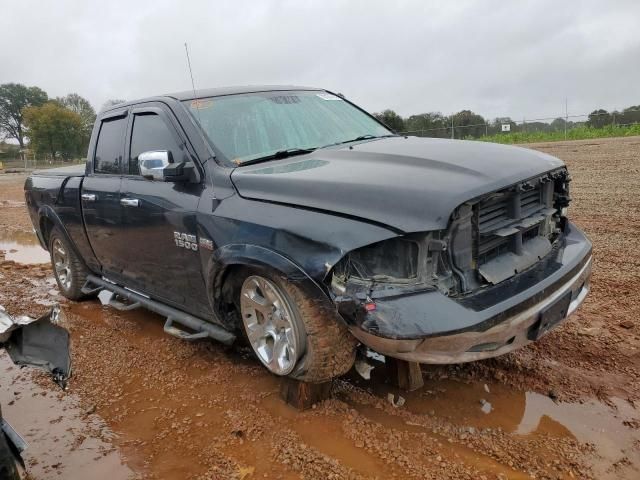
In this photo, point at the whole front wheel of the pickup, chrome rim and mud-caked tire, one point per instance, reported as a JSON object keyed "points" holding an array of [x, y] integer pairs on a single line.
{"points": [[290, 335]]}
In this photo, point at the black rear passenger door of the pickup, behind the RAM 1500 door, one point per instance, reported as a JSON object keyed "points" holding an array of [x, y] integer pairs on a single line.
{"points": [[100, 195]]}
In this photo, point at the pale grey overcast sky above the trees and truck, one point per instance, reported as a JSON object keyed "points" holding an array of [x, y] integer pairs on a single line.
{"points": [[497, 58]]}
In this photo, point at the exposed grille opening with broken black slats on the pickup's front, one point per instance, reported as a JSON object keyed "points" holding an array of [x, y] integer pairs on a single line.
{"points": [[499, 235]]}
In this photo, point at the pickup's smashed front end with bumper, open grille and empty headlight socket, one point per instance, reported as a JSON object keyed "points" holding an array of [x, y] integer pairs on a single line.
{"points": [[477, 289]]}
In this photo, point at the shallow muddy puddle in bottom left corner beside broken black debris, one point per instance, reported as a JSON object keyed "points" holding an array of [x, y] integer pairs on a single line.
{"points": [[64, 440]]}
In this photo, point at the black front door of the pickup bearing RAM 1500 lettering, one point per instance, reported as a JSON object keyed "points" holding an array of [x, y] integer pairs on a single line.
{"points": [[159, 218]]}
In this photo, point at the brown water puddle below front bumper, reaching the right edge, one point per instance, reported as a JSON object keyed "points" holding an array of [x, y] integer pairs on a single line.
{"points": [[613, 429]]}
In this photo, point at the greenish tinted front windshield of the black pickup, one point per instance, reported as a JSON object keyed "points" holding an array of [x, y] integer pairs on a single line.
{"points": [[249, 126]]}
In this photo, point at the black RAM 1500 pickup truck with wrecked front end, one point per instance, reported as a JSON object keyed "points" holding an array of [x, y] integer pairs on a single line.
{"points": [[291, 217]]}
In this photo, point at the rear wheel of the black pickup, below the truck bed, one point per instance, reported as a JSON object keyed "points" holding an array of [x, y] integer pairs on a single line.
{"points": [[68, 269]]}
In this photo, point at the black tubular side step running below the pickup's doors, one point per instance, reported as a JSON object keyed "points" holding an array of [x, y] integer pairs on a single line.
{"points": [[201, 328]]}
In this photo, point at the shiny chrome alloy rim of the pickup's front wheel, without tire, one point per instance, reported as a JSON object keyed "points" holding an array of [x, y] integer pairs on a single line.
{"points": [[270, 325]]}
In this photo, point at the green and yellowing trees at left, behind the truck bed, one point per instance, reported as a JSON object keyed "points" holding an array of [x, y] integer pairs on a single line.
{"points": [[57, 128]]}
